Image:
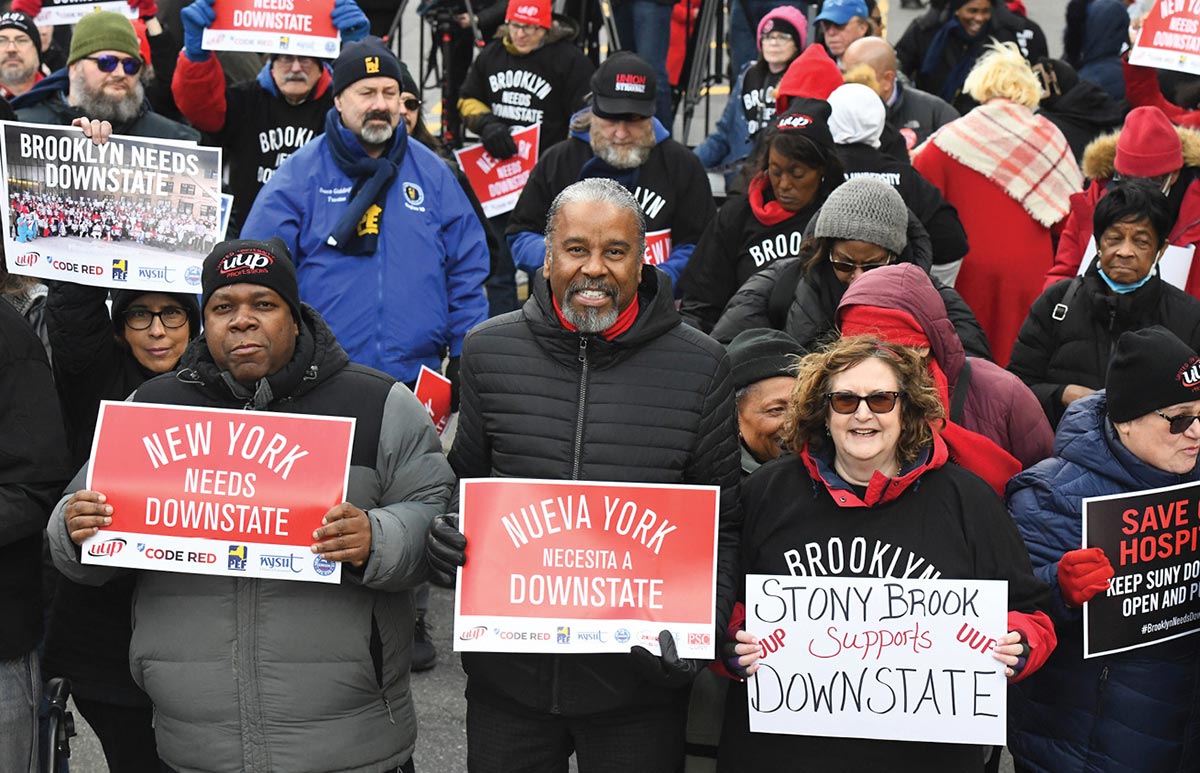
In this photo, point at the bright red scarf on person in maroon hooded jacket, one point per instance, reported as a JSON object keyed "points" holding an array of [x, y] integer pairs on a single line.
{"points": [[977, 453]]}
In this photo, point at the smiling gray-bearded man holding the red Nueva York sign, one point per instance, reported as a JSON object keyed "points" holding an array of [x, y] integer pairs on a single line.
{"points": [[596, 379]]}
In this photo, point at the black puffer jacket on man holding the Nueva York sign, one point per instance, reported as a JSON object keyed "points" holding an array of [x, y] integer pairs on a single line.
{"points": [[655, 405]]}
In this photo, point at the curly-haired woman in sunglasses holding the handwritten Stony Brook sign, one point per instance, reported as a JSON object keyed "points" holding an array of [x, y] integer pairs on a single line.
{"points": [[871, 472]]}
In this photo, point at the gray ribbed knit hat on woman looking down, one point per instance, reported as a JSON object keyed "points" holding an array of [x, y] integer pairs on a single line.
{"points": [[868, 211]]}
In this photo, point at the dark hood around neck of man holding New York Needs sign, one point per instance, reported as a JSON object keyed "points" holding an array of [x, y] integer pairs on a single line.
{"points": [[317, 357]]}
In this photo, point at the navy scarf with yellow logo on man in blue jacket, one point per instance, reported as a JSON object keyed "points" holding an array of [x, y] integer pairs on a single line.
{"points": [[358, 230]]}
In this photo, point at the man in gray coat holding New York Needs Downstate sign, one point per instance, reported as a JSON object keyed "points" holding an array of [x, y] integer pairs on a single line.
{"points": [[256, 675]]}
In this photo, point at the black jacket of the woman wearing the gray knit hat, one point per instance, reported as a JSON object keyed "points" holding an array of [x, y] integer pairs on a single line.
{"points": [[783, 298]]}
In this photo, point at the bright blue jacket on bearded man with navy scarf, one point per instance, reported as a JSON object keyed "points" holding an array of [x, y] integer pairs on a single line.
{"points": [[417, 297]]}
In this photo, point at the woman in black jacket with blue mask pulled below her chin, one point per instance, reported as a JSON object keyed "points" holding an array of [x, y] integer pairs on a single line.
{"points": [[1065, 346]]}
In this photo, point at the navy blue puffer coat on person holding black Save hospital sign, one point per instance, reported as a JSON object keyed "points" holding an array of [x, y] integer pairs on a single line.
{"points": [[1133, 712]]}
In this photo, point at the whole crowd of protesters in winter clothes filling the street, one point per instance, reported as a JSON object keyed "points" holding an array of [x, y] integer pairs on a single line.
{"points": [[947, 291]]}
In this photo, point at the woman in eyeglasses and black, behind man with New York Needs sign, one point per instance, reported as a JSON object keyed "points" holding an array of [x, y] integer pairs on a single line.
{"points": [[100, 357]]}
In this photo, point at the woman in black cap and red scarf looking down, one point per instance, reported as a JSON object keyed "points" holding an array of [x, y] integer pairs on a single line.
{"points": [[797, 170]]}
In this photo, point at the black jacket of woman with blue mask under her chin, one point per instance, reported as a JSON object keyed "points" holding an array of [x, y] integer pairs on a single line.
{"points": [[1051, 353]]}
